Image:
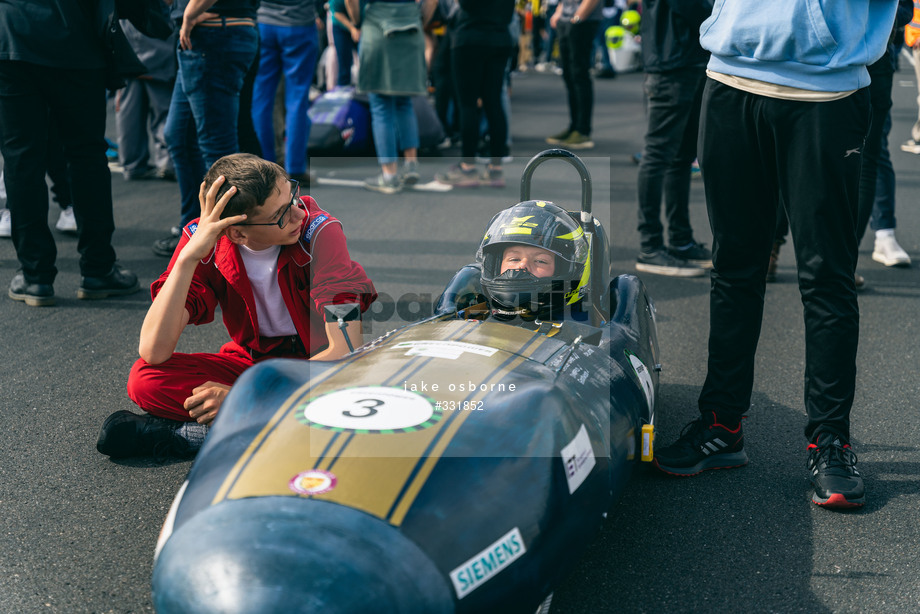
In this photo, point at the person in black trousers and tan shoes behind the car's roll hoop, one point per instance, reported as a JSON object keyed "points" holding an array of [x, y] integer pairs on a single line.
{"points": [[576, 22]]}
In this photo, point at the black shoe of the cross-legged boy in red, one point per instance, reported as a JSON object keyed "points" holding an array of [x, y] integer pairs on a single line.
{"points": [[126, 434]]}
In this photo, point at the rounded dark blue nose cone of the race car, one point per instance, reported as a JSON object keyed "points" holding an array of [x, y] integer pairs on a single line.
{"points": [[289, 554]]}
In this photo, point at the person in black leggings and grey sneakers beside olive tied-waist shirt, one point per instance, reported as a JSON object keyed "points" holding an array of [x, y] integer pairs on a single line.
{"points": [[480, 48]]}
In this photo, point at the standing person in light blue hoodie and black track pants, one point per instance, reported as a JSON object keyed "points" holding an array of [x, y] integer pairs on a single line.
{"points": [[784, 120]]}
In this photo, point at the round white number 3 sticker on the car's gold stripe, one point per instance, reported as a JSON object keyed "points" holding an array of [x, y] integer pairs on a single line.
{"points": [[370, 409]]}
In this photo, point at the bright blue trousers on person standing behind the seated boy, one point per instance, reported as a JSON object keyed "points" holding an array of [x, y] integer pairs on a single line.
{"points": [[291, 49]]}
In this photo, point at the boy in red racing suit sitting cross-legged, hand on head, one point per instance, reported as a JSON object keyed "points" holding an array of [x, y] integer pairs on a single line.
{"points": [[272, 260]]}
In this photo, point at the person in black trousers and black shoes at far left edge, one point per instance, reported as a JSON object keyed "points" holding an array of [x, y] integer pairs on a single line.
{"points": [[52, 65]]}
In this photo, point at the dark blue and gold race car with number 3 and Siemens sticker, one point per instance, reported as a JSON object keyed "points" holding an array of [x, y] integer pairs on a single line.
{"points": [[457, 464]]}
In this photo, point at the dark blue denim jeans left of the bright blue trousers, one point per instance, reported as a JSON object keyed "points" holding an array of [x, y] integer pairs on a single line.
{"points": [[203, 113]]}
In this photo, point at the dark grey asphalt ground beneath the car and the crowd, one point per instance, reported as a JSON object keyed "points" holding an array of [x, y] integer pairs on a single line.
{"points": [[77, 531]]}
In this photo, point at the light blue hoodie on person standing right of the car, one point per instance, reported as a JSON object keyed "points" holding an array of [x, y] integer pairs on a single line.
{"points": [[818, 45]]}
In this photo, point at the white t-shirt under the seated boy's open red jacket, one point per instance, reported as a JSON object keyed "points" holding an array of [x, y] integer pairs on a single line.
{"points": [[271, 312]]}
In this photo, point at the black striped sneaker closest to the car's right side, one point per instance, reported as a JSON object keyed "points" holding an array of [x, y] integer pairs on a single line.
{"points": [[703, 444]]}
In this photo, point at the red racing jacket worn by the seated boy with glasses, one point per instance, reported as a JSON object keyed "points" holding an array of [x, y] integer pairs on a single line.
{"points": [[314, 272]]}
